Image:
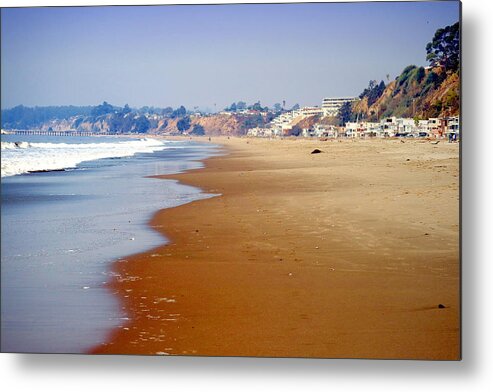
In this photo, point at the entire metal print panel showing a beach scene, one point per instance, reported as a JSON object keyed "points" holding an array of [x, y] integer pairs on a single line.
{"points": [[265, 180]]}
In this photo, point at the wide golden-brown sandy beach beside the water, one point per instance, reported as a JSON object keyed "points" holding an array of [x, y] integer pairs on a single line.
{"points": [[343, 254]]}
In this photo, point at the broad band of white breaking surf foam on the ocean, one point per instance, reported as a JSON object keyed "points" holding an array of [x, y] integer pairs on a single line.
{"points": [[24, 157]]}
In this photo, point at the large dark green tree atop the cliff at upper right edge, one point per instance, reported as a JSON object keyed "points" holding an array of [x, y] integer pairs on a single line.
{"points": [[444, 49]]}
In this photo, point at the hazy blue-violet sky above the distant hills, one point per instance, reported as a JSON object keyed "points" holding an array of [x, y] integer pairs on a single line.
{"points": [[202, 55]]}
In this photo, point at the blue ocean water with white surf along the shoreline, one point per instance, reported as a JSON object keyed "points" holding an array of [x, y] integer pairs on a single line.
{"points": [[61, 230]]}
